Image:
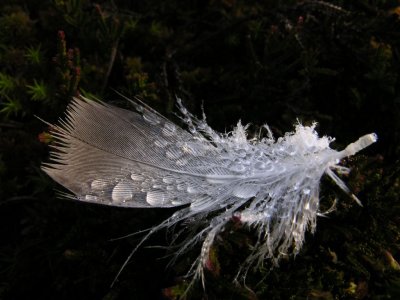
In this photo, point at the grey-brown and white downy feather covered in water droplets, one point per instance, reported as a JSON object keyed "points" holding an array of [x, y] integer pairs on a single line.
{"points": [[108, 155]]}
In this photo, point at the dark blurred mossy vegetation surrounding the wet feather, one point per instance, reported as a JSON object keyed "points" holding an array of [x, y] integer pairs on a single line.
{"points": [[336, 62]]}
